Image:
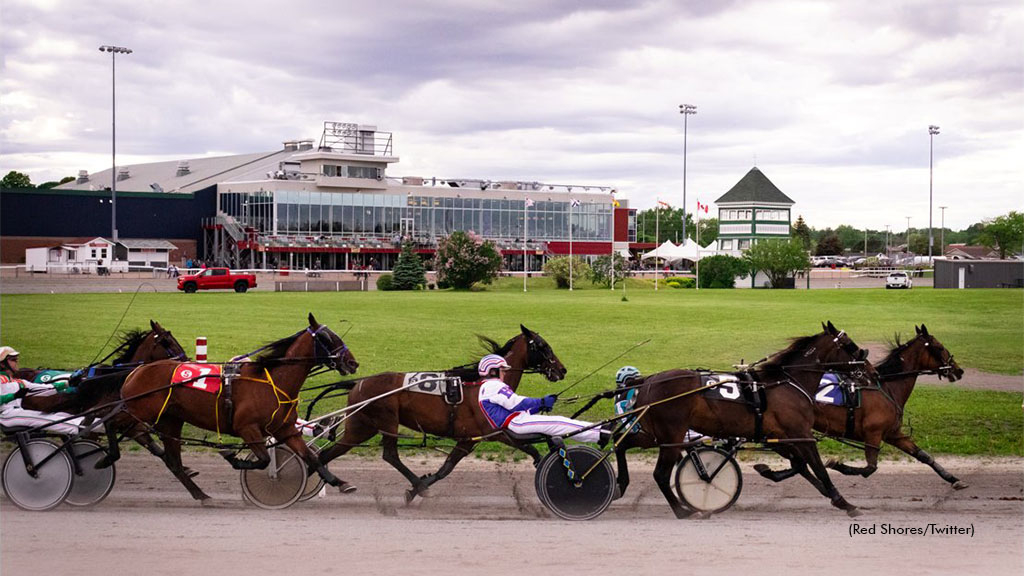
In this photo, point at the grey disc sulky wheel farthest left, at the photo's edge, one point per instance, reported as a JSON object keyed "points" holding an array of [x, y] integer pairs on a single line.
{"points": [[51, 485]]}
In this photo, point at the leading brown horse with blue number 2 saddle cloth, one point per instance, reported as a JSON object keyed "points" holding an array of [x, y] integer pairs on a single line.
{"points": [[880, 418]]}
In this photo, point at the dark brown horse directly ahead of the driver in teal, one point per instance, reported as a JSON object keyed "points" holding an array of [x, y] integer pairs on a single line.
{"points": [[789, 380]]}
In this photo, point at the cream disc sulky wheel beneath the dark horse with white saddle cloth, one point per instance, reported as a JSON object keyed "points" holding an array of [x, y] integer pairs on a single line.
{"points": [[709, 480]]}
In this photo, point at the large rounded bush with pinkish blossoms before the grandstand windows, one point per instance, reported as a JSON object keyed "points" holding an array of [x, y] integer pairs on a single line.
{"points": [[464, 260]]}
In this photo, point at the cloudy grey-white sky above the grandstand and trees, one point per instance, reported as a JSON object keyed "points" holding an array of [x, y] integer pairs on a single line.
{"points": [[832, 101]]}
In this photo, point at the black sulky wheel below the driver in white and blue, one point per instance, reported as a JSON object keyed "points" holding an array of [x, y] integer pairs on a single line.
{"points": [[586, 496]]}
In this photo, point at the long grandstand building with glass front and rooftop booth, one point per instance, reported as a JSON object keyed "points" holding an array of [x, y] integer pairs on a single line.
{"points": [[333, 205]]}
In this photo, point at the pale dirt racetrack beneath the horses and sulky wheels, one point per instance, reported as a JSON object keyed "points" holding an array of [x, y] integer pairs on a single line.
{"points": [[486, 520]]}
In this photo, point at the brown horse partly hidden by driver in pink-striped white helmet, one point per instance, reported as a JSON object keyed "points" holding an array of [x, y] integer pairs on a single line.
{"points": [[431, 415]]}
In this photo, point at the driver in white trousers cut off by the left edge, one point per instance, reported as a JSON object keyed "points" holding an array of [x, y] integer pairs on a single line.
{"points": [[13, 390]]}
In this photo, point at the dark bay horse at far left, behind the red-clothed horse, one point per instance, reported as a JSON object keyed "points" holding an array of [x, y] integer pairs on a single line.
{"points": [[99, 385]]}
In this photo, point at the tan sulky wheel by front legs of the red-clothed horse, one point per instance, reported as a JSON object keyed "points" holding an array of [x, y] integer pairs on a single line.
{"points": [[278, 486]]}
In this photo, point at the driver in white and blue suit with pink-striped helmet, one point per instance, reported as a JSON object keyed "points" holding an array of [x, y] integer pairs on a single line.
{"points": [[505, 409]]}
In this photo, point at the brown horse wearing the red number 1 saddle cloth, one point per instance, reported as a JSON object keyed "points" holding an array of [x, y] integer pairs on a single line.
{"points": [[265, 398]]}
